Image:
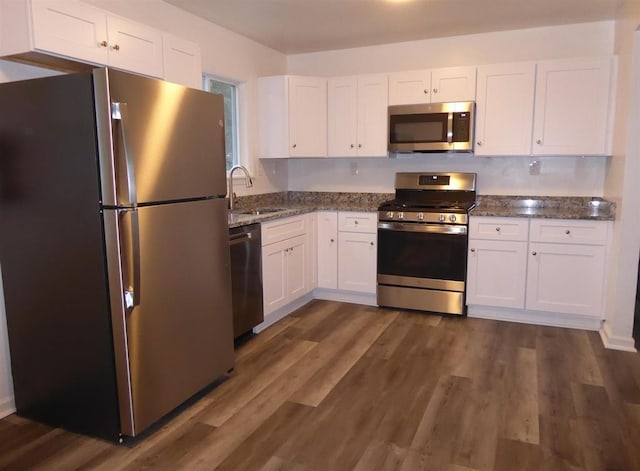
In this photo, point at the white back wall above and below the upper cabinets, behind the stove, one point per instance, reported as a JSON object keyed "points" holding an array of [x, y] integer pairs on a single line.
{"points": [[570, 176]]}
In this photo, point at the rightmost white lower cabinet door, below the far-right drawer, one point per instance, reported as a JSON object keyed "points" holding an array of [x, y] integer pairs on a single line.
{"points": [[566, 278]]}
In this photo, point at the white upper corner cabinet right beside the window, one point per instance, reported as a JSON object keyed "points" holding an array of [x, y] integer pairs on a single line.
{"points": [[292, 117]]}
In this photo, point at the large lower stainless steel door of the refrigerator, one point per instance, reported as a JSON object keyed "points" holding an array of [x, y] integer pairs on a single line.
{"points": [[179, 334]]}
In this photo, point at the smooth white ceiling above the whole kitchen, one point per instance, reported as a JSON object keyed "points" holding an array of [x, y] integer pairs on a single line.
{"points": [[298, 26]]}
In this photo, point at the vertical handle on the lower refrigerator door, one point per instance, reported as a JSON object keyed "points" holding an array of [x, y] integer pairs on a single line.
{"points": [[130, 257]]}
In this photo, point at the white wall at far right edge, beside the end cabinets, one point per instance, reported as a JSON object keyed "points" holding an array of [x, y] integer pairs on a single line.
{"points": [[623, 173]]}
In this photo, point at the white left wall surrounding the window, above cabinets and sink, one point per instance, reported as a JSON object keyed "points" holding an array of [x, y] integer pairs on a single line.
{"points": [[226, 55]]}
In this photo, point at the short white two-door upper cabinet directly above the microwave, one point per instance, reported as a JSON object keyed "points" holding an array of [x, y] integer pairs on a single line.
{"points": [[433, 86]]}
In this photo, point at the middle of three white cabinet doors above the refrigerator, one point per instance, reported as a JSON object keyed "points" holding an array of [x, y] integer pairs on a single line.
{"points": [[134, 47]]}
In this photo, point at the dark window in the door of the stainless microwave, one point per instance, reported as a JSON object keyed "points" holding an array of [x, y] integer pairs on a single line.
{"points": [[415, 128]]}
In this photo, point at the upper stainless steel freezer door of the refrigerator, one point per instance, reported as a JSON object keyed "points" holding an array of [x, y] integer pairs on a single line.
{"points": [[158, 141]]}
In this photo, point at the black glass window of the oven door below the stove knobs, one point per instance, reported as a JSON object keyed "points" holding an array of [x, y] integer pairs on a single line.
{"points": [[422, 255]]}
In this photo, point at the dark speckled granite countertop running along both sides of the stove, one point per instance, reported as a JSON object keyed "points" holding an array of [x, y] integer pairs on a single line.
{"points": [[291, 203]]}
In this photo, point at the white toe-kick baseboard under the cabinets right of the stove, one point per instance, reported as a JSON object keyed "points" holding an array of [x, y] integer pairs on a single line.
{"points": [[553, 319]]}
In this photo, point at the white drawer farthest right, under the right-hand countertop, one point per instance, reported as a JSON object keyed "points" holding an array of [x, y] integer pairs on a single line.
{"points": [[569, 231]]}
